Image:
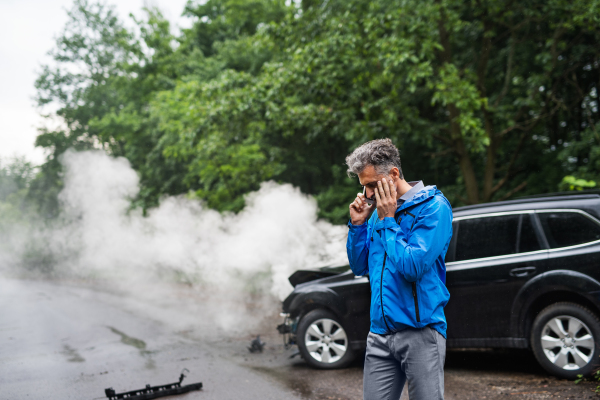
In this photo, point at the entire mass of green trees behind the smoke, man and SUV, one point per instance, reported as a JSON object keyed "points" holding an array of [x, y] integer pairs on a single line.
{"points": [[485, 99]]}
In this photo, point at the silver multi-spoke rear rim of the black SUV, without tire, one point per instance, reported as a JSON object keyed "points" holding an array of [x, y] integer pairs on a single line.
{"points": [[567, 342]]}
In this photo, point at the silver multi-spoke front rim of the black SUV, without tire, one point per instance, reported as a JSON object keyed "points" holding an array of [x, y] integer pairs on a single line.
{"points": [[326, 341]]}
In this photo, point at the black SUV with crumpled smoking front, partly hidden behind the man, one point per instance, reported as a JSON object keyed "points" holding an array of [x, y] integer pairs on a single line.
{"points": [[522, 274]]}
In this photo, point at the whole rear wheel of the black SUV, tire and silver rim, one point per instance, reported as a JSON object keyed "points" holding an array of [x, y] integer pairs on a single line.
{"points": [[565, 339]]}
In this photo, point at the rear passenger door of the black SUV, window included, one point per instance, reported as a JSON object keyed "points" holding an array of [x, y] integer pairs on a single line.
{"points": [[494, 256]]}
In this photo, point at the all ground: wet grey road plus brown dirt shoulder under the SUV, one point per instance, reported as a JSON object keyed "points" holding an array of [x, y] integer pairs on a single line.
{"points": [[66, 341]]}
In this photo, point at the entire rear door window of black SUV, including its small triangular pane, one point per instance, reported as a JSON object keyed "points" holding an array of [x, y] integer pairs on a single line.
{"points": [[495, 236]]}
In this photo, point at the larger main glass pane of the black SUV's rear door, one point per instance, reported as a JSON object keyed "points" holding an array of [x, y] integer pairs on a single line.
{"points": [[487, 237]]}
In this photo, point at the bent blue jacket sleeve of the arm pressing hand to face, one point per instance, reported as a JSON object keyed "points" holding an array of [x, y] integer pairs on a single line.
{"points": [[429, 235]]}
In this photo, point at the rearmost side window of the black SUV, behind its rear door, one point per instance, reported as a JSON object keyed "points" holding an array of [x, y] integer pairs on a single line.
{"points": [[564, 229]]}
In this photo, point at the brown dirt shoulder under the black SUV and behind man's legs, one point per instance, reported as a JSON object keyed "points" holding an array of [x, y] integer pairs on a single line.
{"points": [[469, 374]]}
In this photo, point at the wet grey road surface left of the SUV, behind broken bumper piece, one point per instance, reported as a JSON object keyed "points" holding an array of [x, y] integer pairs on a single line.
{"points": [[64, 342]]}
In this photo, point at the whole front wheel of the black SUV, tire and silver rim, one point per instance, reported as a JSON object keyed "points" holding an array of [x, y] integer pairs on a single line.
{"points": [[323, 341]]}
